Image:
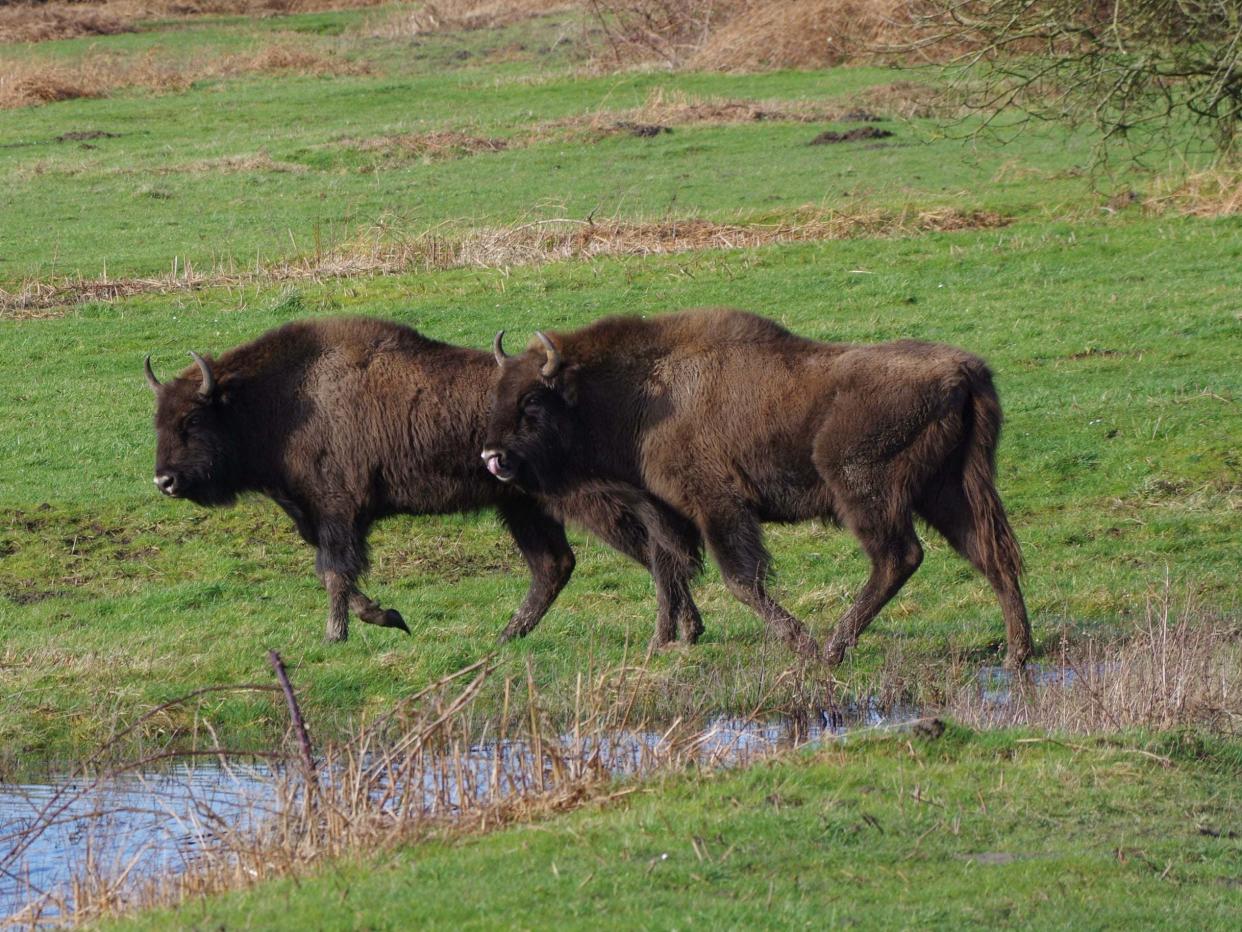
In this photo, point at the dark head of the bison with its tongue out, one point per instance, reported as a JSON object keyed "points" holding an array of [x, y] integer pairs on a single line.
{"points": [[531, 432]]}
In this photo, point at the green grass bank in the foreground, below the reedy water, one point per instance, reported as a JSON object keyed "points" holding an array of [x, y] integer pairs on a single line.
{"points": [[971, 832]]}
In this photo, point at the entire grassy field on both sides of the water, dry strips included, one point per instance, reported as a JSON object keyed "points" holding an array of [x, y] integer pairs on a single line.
{"points": [[198, 181]]}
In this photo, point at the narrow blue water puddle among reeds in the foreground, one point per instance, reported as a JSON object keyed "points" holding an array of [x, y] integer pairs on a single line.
{"points": [[132, 827]]}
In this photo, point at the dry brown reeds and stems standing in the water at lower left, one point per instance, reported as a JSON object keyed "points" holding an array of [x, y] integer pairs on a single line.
{"points": [[427, 770]]}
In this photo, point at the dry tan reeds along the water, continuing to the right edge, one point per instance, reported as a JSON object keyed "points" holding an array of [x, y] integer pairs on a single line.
{"points": [[434, 769]]}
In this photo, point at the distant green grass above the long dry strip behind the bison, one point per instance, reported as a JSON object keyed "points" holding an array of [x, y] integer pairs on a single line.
{"points": [[130, 204]]}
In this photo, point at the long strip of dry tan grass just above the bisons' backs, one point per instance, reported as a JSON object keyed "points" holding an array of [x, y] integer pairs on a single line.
{"points": [[557, 239]]}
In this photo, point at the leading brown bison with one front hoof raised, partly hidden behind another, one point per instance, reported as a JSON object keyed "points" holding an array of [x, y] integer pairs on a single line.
{"points": [[346, 422]]}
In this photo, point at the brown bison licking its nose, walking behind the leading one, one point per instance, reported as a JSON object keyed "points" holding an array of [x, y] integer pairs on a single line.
{"points": [[732, 421]]}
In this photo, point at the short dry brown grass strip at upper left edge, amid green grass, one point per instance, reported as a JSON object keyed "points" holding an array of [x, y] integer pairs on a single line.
{"points": [[30, 84]]}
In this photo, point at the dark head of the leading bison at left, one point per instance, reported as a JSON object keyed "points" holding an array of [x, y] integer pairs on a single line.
{"points": [[194, 450]]}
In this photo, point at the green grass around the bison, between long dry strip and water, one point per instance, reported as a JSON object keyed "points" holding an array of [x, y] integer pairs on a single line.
{"points": [[1113, 351]]}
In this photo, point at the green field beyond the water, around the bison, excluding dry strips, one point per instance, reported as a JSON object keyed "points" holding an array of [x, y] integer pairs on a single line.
{"points": [[1112, 331]]}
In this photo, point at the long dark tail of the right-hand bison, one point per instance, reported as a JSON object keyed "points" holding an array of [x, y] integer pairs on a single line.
{"points": [[998, 547]]}
